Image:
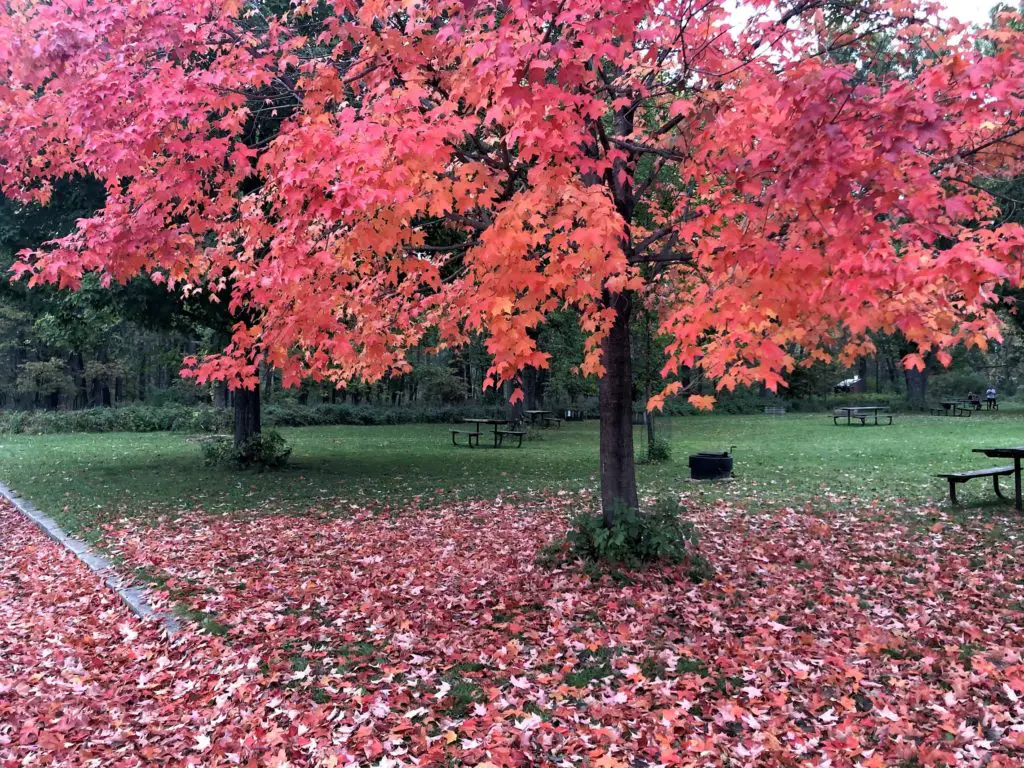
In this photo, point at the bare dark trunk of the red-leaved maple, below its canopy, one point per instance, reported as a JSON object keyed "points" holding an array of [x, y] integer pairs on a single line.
{"points": [[619, 483]]}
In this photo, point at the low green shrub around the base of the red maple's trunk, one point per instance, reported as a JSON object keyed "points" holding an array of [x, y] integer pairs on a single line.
{"points": [[657, 536]]}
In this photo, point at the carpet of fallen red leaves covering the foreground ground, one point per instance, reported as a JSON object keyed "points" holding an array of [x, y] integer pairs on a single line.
{"points": [[847, 639]]}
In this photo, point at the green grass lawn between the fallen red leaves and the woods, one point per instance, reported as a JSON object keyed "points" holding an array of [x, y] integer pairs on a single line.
{"points": [[86, 480]]}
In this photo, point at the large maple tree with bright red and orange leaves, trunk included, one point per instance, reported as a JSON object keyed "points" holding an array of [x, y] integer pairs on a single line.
{"points": [[786, 183]]}
